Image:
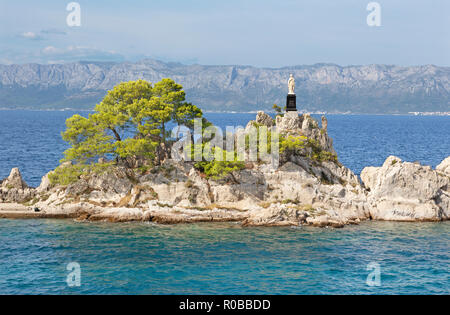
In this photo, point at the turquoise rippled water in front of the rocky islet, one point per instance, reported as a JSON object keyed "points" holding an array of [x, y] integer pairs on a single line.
{"points": [[137, 258]]}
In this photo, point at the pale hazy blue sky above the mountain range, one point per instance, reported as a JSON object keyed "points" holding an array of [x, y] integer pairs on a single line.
{"points": [[269, 33]]}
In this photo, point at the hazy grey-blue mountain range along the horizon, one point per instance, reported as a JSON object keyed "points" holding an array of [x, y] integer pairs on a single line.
{"points": [[320, 87]]}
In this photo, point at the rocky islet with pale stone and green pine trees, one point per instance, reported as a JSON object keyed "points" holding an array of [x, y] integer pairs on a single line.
{"points": [[309, 187]]}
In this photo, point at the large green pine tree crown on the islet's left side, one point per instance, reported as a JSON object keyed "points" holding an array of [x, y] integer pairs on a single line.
{"points": [[131, 121]]}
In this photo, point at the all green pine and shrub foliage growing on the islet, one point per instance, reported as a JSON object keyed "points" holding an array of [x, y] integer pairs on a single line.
{"points": [[131, 124]]}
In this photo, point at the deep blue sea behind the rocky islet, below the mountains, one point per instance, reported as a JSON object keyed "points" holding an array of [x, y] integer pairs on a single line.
{"points": [[31, 140]]}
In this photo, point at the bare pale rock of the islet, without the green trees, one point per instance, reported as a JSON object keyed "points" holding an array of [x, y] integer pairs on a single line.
{"points": [[302, 191]]}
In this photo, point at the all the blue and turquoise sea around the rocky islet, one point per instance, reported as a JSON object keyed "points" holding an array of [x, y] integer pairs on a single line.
{"points": [[225, 258]]}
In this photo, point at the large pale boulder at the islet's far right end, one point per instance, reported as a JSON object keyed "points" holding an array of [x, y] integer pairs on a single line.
{"points": [[404, 191]]}
